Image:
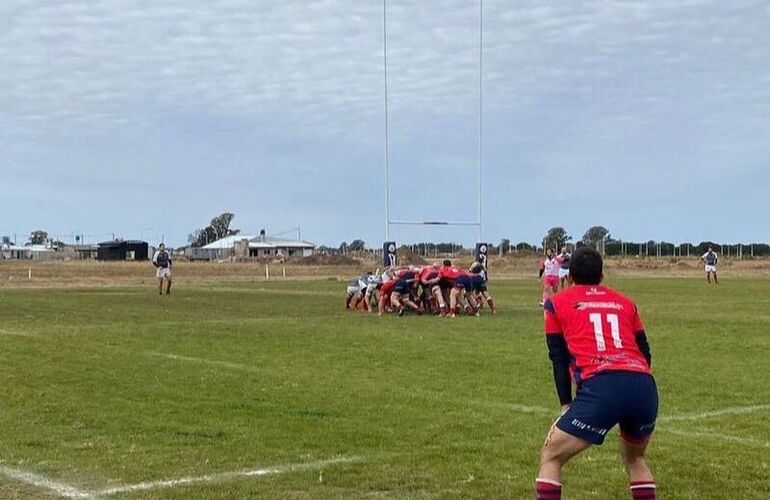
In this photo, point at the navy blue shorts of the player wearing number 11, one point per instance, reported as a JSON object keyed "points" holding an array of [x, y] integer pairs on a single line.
{"points": [[610, 398]]}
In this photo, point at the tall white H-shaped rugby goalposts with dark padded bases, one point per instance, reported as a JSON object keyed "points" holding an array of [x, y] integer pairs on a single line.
{"points": [[389, 256]]}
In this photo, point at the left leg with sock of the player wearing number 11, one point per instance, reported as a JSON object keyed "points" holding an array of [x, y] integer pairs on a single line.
{"points": [[558, 449]]}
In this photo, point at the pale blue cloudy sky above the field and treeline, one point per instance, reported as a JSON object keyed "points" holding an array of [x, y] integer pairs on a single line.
{"points": [[146, 119]]}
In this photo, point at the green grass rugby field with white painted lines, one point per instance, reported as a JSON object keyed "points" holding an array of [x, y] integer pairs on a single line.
{"points": [[272, 390]]}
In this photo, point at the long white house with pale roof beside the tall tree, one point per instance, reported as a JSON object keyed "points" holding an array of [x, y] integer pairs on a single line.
{"points": [[259, 246]]}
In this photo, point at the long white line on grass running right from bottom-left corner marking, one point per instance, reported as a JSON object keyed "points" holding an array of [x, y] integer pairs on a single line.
{"points": [[224, 476]]}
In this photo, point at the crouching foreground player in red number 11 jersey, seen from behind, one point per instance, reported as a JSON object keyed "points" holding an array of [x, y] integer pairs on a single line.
{"points": [[596, 334]]}
